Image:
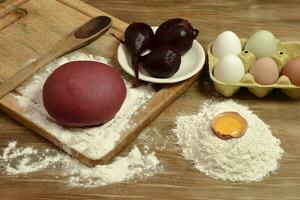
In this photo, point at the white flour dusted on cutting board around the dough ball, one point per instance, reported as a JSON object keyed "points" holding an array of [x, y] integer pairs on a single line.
{"points": [[92, 142]]}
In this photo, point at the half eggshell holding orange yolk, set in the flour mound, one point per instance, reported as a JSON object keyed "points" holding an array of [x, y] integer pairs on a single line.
{"points": [[229, 125]]}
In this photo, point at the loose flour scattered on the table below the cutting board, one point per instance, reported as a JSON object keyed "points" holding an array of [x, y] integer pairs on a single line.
{"points": [[18, 161]]}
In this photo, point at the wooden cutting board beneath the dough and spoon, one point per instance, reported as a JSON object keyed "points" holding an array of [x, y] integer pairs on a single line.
{"points": [[32, 29]]}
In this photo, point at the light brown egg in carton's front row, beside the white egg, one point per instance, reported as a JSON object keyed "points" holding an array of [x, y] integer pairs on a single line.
{"points": [[265, 71]]}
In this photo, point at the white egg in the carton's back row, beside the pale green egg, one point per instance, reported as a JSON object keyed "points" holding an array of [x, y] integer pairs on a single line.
{"points": [[225, 44]]}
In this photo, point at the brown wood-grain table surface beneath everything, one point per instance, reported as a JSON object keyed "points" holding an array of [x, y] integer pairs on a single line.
{"points": [[180, 180]]}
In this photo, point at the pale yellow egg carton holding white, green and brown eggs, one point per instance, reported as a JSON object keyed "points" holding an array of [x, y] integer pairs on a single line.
{"points": [[285, 52]]}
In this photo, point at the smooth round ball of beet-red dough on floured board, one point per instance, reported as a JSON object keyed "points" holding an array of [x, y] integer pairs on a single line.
{"points": [[83, 93]]}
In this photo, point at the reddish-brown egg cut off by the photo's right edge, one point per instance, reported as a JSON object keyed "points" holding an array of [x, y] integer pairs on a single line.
{"points": [[292, 70]]}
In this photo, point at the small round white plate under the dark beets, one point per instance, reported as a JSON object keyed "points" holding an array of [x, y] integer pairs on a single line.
{"points": [[191, 63]]}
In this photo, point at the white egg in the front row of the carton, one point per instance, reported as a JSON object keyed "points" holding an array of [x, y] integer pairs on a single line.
{"points": [[229, 69]]}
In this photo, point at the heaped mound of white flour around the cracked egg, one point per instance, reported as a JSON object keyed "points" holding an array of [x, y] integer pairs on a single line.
{"points": [[249, 158]]}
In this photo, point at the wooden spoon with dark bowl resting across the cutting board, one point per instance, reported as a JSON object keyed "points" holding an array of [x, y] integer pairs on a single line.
{"points": [[75, 40]]}
